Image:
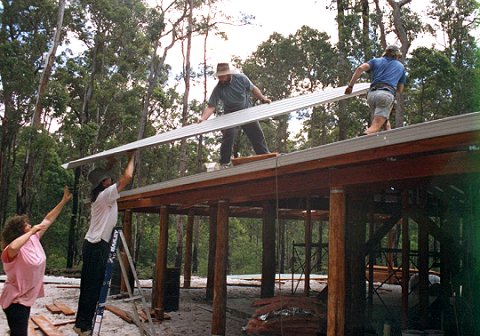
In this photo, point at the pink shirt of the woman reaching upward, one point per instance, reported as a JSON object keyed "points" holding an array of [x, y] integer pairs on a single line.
{"points": [[24, 274]]}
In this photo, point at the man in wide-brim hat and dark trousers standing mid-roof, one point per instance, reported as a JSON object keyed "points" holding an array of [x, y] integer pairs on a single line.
{"points": [[234, 90]]}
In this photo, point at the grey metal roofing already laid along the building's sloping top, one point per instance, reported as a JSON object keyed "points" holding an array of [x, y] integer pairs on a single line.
{"points": [[437, 128]]}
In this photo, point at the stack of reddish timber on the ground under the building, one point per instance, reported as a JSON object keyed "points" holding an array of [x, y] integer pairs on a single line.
{"points": [[288, 316]]}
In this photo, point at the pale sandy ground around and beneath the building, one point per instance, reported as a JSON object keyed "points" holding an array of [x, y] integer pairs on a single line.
{"points": [[194, 316]]}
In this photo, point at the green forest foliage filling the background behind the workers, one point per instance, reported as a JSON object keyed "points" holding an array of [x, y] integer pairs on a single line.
{"points": [[96, 98]]}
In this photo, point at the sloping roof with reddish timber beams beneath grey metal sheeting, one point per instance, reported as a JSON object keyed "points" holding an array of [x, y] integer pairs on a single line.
{"points": [[413, 153]]}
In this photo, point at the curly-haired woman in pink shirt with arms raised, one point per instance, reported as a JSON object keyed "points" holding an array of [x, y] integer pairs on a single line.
{"points": [[24, 262]]}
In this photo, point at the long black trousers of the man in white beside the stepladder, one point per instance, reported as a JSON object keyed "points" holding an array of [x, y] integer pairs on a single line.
{"points": [[93, 272]]}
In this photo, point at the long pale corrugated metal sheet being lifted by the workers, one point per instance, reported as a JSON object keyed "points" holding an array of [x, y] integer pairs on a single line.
{"points": [[241, 117]]}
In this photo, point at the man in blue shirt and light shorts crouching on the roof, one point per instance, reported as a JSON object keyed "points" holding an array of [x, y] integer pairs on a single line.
{"points": [[388, 79]]}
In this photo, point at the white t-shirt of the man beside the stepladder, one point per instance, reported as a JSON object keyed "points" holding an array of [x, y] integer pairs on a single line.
{"points": [[104, 215]]}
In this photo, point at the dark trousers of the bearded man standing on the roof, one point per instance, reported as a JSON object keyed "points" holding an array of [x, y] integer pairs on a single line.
{"points": [[255, 135]]}
